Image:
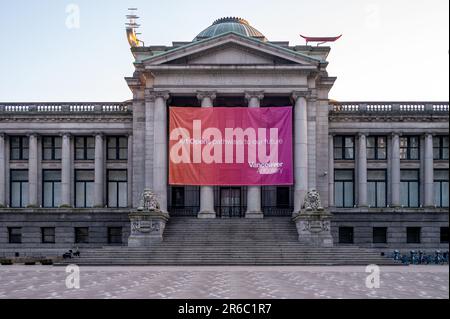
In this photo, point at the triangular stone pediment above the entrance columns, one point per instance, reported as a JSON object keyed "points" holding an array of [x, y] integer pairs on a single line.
{"points": [[231, 49]]}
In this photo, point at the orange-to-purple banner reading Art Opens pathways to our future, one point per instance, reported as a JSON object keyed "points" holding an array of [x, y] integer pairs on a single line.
{"points": [[230, 146]]}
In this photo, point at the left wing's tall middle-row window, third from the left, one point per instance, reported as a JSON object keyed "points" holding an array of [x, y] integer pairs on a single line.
{"points": [[84, 188]]}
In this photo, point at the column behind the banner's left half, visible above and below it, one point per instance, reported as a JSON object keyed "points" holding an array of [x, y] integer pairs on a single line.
{"points": [[206, 192]]}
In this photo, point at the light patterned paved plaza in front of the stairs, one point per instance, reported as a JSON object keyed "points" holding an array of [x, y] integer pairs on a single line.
{"points": [[224, 282]]}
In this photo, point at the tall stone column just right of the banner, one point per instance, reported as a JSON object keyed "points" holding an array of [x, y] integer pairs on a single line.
{"points": [[300, 149]]}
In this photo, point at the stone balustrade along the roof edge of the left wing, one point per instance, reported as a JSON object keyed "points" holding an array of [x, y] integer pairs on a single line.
{"points": [[65, 107]]}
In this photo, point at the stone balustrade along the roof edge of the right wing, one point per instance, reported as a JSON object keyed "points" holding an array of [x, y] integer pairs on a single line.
{"points": [[389, 107]]}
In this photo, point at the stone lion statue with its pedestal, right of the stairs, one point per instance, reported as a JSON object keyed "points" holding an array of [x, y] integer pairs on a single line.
{"points": [[314, 222]]}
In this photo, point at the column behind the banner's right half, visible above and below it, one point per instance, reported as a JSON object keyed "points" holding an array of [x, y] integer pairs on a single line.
{"points": [[254, 192]]}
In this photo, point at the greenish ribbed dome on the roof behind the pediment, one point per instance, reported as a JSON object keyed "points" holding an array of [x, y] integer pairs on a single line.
{"points": [[230, 24]]}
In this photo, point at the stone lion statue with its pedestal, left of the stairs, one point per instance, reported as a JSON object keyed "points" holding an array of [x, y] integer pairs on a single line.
{"points": [[147, 222]]}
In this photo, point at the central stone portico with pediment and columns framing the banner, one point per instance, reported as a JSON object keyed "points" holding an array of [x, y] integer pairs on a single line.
{"points": [[226, 68]]}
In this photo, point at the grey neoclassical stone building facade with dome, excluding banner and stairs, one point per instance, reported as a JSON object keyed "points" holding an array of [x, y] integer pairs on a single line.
{"points": [[70, 173]]}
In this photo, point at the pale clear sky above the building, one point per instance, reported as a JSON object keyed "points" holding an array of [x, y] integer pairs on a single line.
{"points": [[391, 49]]}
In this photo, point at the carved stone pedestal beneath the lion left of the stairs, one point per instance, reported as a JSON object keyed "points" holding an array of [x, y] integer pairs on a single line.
{"points": [[147, 228]]}
